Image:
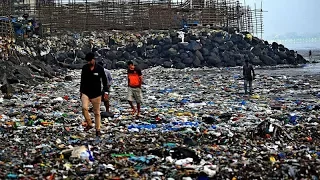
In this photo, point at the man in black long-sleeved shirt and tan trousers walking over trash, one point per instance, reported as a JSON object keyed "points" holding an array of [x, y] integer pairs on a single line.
{"points": [[90, 91]]}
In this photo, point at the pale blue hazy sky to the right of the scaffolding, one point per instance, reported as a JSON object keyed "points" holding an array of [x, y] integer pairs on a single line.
{"points": [[285, 16]]}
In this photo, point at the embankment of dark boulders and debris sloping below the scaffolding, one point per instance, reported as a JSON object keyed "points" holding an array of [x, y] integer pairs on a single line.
{"points": [[36, 59]]}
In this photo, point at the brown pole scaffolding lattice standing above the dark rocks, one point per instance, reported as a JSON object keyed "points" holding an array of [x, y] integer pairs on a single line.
{"points": [[91, 15]]}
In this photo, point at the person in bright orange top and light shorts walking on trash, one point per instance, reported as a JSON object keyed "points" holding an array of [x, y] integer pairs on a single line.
{"points": [[134, 87]]}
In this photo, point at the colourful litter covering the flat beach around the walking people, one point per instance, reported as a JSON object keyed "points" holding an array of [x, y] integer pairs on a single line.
{"points": [[195, 124]]}
